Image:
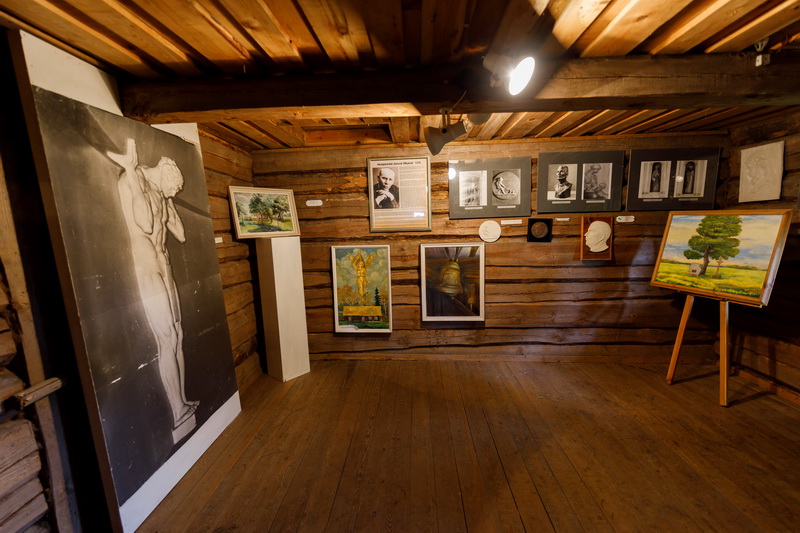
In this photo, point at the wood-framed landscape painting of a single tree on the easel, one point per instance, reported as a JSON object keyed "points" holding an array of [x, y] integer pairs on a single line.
{"points": [[727, 255]]}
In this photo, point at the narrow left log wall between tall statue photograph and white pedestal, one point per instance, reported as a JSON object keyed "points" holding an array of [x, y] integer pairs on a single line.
{"points": [[226, 165]]}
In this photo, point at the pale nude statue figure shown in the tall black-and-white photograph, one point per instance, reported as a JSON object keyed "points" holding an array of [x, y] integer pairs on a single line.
{"points": [[146, 196]]}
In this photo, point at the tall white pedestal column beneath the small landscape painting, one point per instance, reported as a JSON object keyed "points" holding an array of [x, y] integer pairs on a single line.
{"points": [[280, 273]]}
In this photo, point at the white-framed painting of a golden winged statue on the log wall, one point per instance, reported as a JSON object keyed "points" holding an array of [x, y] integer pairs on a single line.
{"points": [[362, 289]]}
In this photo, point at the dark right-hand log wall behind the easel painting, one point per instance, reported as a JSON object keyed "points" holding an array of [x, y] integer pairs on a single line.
{"points": [[766, 341]]}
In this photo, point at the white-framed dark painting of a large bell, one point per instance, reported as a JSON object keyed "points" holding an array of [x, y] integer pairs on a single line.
{"points": [[452, 281]]}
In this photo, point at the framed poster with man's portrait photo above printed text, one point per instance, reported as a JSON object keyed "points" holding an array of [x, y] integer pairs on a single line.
{"points": [[399, 192]]}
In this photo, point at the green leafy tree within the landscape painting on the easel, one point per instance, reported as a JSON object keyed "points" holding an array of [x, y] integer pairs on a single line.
{"points": [[715, 239]]}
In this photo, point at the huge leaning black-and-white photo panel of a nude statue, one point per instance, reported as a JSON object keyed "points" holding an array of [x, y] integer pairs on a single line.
{"points": [[130, 206]]}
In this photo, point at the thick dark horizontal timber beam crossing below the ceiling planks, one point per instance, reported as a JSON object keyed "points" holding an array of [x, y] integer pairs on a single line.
{"points": [[634, 82]]}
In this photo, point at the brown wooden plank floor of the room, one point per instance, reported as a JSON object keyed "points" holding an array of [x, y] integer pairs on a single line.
{"points": [[478, 446]]}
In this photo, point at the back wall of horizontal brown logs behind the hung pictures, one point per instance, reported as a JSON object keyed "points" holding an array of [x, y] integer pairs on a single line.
{"points": [[542, 302]]}
